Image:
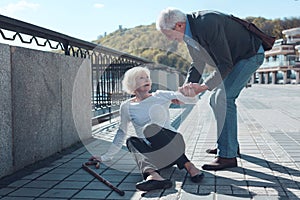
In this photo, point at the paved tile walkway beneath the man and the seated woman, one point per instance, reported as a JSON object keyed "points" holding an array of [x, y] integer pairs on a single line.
{"points": [[269, 167]]}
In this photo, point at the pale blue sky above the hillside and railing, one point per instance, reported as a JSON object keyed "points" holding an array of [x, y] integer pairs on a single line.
{"points": [[88, 19]]}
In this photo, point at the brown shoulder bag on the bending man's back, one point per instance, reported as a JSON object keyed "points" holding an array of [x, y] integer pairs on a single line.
{"points": [[267, 40]]}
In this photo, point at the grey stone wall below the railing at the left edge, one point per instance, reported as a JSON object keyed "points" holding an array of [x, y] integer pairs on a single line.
{"points": [[41, 96]]}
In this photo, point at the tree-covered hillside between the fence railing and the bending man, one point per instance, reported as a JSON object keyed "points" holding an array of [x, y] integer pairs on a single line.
{"points": [[147, 42]]}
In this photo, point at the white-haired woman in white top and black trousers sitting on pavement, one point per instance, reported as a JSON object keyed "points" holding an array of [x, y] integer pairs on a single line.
{"points": [[157, 145]]}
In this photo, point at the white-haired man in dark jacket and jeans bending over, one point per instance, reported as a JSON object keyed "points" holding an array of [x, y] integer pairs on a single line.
{"points": [[214, 39]]}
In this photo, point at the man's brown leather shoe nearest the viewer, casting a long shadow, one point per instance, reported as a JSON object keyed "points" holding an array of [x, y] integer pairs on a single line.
{"points": [[221, 163]]}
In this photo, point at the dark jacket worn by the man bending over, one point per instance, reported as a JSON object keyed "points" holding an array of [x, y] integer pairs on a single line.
{"points": [[221, 43]]}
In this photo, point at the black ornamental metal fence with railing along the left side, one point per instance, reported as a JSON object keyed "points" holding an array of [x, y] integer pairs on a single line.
{"points": [[108, 65]]}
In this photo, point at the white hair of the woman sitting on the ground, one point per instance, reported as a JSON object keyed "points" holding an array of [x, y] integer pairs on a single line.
{"points": [[129, 80]]}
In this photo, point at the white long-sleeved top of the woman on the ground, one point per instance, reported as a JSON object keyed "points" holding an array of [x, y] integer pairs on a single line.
{"points": [[154, 109]]}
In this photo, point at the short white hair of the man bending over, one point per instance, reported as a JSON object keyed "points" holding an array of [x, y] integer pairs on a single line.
{"points": [[168, 18]]}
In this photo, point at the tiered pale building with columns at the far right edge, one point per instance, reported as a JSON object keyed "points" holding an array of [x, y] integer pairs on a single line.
{"points": [[282, 63]]}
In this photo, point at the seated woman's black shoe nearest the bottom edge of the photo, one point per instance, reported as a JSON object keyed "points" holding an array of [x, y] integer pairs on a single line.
{"points": [[153, 185]]}
